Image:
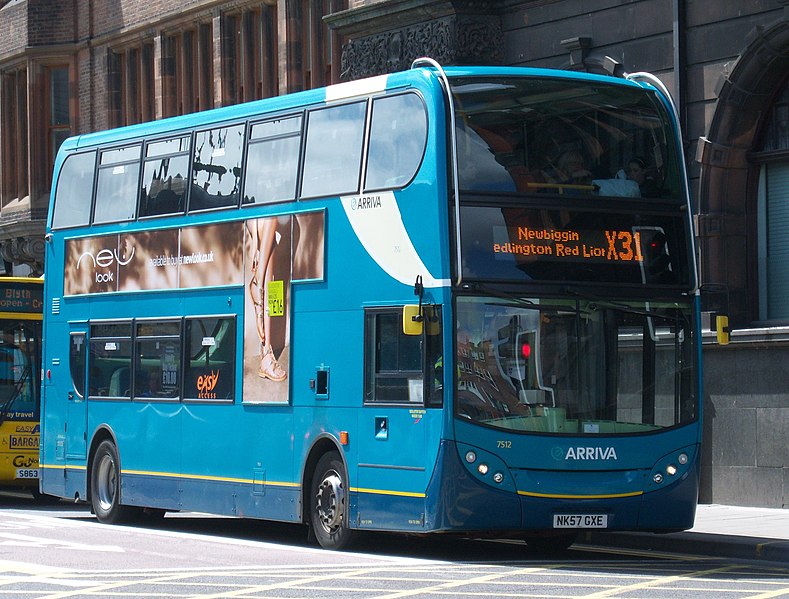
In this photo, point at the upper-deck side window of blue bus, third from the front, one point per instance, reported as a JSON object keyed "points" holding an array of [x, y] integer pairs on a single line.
{"points": [[273, 161]]}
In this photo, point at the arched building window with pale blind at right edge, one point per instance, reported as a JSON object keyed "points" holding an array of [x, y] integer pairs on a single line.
{"points": [[773, 213]]}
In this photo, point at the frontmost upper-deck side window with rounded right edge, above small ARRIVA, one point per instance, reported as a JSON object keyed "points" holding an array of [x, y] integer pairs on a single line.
{"points": [[397, 141]]}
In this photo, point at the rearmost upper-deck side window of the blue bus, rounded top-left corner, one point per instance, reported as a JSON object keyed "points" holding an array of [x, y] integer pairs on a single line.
{"points": [[74, 191]]}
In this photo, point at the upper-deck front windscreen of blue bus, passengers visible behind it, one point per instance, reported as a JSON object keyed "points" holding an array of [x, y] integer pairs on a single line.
{"points": [[553, 136]]}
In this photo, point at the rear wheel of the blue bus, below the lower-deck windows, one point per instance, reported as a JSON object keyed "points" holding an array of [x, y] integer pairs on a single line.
{"points": [[105, 487]]}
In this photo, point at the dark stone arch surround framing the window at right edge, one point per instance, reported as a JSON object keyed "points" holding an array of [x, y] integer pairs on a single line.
{"points": [[732, 166]]}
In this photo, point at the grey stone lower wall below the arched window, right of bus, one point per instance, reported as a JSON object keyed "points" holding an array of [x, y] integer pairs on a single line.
{"points": [[746, 421]]}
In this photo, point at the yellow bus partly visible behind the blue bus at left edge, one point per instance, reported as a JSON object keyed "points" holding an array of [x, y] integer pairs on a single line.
{"points": [[21, 303]]}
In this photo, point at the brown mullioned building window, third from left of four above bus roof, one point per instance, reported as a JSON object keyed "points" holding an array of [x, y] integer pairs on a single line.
{"points": [[249, 55]]}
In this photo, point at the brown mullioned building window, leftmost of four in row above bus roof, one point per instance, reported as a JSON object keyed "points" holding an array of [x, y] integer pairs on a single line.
{"points": [[130, 73]]}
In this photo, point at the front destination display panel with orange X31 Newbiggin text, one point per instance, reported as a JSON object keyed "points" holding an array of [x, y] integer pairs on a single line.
{"points": [[570, 245]]}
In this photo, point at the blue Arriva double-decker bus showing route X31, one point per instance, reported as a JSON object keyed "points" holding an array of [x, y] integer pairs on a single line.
{"points": [[441, 300]]}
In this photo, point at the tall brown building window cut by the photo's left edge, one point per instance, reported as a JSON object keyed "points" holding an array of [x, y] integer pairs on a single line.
{"points": [[14, 125]]}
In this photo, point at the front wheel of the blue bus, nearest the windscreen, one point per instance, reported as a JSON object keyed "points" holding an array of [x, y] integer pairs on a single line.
{"points": [[329, 503]]}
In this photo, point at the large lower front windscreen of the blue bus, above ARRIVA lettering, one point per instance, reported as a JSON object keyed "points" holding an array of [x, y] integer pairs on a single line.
{"points": [[574, 366]]}
